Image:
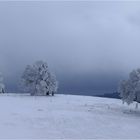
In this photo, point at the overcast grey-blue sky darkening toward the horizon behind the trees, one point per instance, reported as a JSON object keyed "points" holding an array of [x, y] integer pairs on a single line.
{"points": [[90, 46]]}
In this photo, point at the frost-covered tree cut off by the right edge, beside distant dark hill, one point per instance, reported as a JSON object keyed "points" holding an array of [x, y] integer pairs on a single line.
{"points": [[130, 89]]}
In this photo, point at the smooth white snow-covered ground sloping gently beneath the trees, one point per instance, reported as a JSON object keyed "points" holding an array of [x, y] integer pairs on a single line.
{"points": [[66, 116]]}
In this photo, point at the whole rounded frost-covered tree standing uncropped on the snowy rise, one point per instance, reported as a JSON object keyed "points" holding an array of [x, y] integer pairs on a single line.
{"points": [[38, 80]]}
